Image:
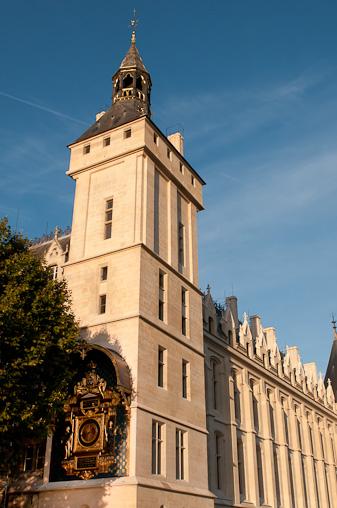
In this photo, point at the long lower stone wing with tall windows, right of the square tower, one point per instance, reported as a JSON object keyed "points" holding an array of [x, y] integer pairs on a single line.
{"points": [[271, 419]]}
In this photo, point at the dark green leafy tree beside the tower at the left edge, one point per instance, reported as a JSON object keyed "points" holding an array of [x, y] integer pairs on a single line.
{"points": [[38, 344]]}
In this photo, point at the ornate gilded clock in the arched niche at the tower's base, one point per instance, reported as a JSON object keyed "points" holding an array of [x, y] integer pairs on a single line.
{"points": [[96, 420]]}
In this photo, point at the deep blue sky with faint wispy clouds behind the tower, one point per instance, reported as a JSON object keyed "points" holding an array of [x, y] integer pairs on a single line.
{"points": [[253, 84]]}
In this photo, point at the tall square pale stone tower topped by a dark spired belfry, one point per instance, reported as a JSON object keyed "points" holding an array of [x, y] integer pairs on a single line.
{"points": [[133, 272]]}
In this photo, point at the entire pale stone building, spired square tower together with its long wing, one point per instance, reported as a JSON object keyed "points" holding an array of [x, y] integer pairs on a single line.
{"points": [[177, 403]]}
